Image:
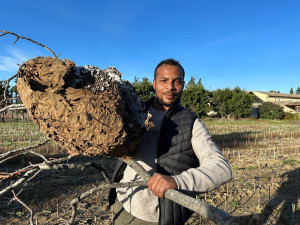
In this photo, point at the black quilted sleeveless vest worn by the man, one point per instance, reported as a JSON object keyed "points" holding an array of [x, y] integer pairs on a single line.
{"points": [[174, 155]]}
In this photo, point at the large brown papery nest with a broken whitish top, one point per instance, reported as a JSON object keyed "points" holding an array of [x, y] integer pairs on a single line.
{"points": [[85, 109]]}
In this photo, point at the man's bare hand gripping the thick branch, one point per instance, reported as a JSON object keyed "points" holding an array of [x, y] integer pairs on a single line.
{"points": [[159, 183]]}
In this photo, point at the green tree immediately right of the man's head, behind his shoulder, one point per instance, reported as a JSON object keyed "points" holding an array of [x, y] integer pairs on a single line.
{"points": [[196, 98]]}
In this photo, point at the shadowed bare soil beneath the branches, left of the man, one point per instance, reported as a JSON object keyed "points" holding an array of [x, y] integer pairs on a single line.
{"points": [[50, 193]]}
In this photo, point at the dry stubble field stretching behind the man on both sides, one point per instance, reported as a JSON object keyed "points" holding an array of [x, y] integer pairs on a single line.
{"points": [[264, 156]]}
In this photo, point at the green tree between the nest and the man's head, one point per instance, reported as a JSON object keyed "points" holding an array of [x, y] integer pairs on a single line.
{"points": [[144, 89]]}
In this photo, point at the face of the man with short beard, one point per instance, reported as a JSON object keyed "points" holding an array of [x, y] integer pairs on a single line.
{"points": [[168, 85]]}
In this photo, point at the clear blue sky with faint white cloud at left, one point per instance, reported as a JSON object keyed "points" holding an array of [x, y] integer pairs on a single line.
{"points": [[251, 44]]}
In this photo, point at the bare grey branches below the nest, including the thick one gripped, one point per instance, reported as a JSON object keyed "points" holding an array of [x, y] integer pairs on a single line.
{"points": [[30, 172]]}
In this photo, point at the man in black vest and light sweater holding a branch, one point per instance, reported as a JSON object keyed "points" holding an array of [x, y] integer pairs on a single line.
{"points": [[178, 152]]}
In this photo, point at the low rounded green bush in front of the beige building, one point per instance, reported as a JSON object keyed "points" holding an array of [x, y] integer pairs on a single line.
{"points": [[270, 110]]}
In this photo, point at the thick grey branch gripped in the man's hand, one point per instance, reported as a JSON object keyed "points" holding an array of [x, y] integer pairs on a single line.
{"points": [[214, 214]]}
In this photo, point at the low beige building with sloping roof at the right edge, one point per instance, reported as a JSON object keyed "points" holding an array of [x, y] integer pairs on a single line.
{"points": [[290, 102]]}
